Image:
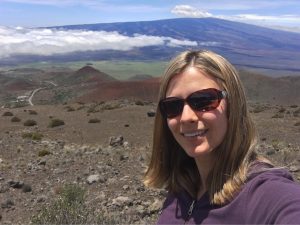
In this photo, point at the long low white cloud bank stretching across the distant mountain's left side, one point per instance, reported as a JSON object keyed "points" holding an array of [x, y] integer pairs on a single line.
{"points": [[15, 41]]}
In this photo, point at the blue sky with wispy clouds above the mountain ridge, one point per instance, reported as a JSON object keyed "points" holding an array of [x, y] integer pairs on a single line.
{"points": [[36, 13]]}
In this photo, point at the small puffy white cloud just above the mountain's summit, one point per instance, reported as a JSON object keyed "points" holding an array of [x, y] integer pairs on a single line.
{"points": [[189, 11]]}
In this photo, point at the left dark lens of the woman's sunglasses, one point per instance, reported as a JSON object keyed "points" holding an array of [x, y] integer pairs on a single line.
{"points": [[171, 107]]}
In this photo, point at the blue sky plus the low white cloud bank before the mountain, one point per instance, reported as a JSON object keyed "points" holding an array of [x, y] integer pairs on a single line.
{"points": [[20, 21]]}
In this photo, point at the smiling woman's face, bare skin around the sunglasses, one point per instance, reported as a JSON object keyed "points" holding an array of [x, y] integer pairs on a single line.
{"points": [[198, 133]]}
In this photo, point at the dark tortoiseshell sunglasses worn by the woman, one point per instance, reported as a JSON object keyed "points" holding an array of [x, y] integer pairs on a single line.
{"points": [[201, 101]]}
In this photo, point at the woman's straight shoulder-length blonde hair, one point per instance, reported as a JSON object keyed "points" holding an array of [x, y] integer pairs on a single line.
{"points": [[171, 168]]}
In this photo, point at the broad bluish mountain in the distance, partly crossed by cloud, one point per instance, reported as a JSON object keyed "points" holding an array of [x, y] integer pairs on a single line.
{"points": [[244, 44]]}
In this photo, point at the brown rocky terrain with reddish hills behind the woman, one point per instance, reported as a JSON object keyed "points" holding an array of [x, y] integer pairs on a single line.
{"points": [[105, 142]]}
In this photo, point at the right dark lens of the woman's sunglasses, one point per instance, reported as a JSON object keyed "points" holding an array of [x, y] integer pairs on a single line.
{"points": [[204, 100]]}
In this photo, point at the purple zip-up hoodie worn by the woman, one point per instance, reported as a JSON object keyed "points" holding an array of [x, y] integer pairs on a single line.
{"points": [[270, 197]]}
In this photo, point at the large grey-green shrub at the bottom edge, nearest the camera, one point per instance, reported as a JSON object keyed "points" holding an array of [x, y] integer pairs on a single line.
{"points": [[70, 208]]}
